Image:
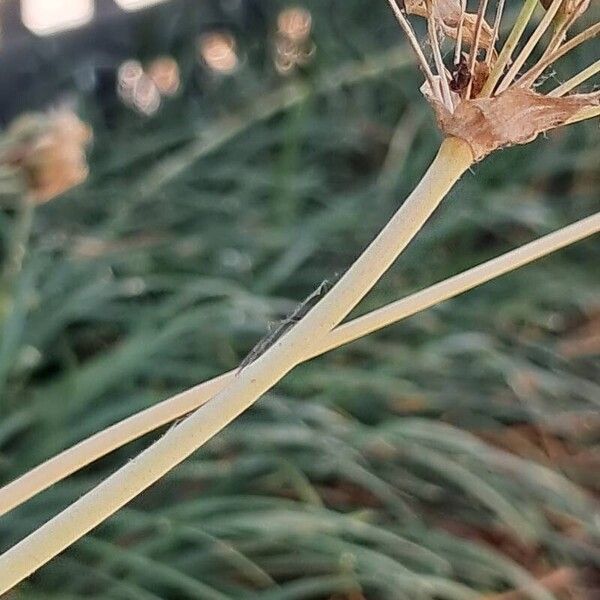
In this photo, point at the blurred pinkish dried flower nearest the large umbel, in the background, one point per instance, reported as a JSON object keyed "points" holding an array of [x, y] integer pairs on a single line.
{"points": [[293, 45]]}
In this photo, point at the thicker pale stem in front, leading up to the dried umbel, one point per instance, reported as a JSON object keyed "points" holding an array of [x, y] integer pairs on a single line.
{"points": [[453, 159]]}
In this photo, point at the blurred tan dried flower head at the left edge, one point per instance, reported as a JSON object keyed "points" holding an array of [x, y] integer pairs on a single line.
{"points": [[49, 150]]}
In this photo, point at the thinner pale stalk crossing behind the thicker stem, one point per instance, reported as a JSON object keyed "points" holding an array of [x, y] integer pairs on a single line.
{"points": [[87, 451]]}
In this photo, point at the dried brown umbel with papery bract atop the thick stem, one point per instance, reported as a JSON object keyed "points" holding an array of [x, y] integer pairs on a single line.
{"points": [[488, 97]]}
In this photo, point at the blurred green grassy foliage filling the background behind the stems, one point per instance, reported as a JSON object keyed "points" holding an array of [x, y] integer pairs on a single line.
{"points": [[451, 456]]}
